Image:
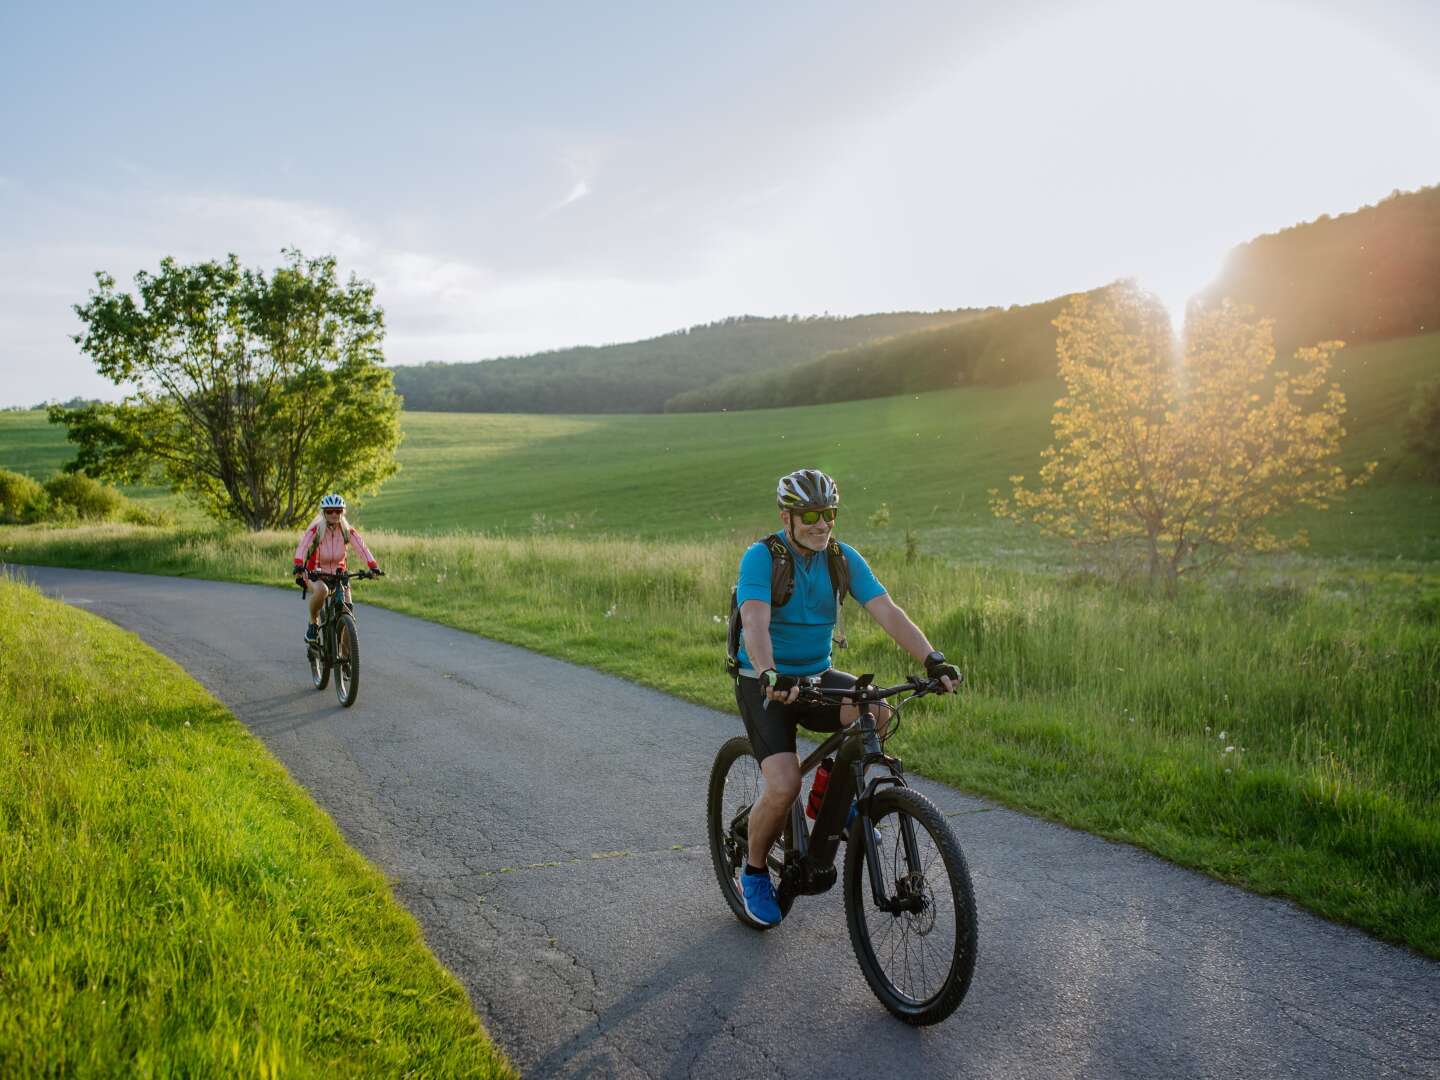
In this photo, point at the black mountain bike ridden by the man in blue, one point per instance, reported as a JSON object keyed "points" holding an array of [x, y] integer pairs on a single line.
{"points": [[909, 901]]}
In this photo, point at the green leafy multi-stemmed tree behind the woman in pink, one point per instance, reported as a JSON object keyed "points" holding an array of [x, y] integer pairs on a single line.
{"points": [[253, 395]]}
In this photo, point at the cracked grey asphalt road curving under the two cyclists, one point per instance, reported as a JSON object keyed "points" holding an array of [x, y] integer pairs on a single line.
{"points": [[546, 827]]}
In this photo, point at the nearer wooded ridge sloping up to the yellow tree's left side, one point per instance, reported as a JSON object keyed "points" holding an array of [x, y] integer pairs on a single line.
{"points": [[997, 349]]}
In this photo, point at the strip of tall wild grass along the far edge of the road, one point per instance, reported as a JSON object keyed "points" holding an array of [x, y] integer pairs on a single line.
{"points": [[1282, 734]]}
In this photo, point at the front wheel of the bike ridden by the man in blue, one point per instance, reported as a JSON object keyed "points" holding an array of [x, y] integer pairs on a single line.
{"points": [[919, 958]]}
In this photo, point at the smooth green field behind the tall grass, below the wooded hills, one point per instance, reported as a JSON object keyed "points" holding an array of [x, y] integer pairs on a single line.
{"points": [[931, 457]]}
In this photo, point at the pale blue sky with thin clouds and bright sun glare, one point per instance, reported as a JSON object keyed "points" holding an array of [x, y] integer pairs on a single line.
{"points": [[518, 178]]}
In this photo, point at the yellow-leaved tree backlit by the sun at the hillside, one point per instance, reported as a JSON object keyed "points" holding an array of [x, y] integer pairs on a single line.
{"points": [[1179, 463]]}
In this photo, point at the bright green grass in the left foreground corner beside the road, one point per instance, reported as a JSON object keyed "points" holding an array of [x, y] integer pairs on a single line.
{"points": [[171, 904]]}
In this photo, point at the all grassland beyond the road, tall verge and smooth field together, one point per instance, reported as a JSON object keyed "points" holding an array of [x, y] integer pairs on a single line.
{"points": [[613, 542]]}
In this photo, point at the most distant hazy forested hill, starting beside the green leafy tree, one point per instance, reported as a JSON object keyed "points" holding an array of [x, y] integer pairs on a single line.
{"points": [[642, 377]]}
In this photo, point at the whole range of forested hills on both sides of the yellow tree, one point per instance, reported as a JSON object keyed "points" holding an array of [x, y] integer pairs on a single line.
{"points": [[1360, 277]]}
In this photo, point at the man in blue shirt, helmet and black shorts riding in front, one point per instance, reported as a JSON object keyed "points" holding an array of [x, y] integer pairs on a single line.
{"points": [[781, 646]]}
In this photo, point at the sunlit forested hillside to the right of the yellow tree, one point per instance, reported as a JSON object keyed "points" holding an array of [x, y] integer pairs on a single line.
{"points": [[1367, 276]]}
